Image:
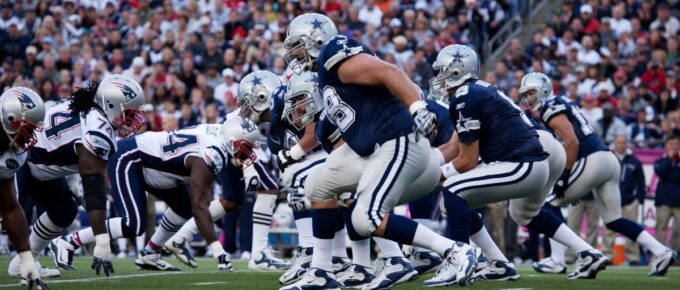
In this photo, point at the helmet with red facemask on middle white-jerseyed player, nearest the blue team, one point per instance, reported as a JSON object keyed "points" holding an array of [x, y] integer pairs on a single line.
{"points": [[241, 136]]}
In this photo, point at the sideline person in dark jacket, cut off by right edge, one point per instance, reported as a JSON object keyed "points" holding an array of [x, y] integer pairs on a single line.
{"points": [[667, 199]]}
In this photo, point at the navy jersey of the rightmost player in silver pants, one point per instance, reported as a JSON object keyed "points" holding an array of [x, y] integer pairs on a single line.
{"points": [[588, 141]]}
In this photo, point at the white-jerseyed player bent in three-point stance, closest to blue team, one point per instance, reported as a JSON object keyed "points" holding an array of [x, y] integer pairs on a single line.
{"points": [[165, 164]]}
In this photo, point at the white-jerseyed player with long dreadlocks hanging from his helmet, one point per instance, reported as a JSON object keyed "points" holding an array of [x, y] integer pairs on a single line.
{"points": [[79, 137]]}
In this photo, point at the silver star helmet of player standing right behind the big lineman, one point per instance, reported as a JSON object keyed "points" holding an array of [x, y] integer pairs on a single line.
{"points": [[456, 64]]}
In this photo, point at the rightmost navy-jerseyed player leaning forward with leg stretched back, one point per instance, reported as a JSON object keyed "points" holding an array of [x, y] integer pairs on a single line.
{"points": [[590, 165]]}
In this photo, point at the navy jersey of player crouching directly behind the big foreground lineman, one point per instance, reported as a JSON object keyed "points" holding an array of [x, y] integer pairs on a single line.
{"points": [[485, 114]]}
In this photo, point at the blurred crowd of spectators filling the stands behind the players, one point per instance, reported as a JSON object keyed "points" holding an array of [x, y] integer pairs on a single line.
{"points": [[617, 59]]}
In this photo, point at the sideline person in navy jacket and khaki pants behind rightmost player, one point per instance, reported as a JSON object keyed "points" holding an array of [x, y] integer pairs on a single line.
{"points": [[633, 192]]}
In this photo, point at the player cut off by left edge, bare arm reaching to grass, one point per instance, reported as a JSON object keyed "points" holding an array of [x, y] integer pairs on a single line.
{"points": [[21, 115]]}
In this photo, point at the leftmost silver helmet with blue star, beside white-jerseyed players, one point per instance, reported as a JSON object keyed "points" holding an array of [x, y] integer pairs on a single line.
{"points": [[255, 93]]}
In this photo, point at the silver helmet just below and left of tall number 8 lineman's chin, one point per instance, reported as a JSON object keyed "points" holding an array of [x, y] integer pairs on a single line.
{"points": [[303, 99]]}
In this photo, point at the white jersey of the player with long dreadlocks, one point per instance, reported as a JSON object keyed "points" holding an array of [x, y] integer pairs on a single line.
{"points": [[54, 155]]}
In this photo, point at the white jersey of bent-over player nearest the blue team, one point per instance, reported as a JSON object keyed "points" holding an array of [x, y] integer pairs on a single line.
{"points": [[164, 154]]}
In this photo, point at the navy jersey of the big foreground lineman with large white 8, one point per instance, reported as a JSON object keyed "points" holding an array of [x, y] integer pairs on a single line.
{"points": [[366, 116]]}
